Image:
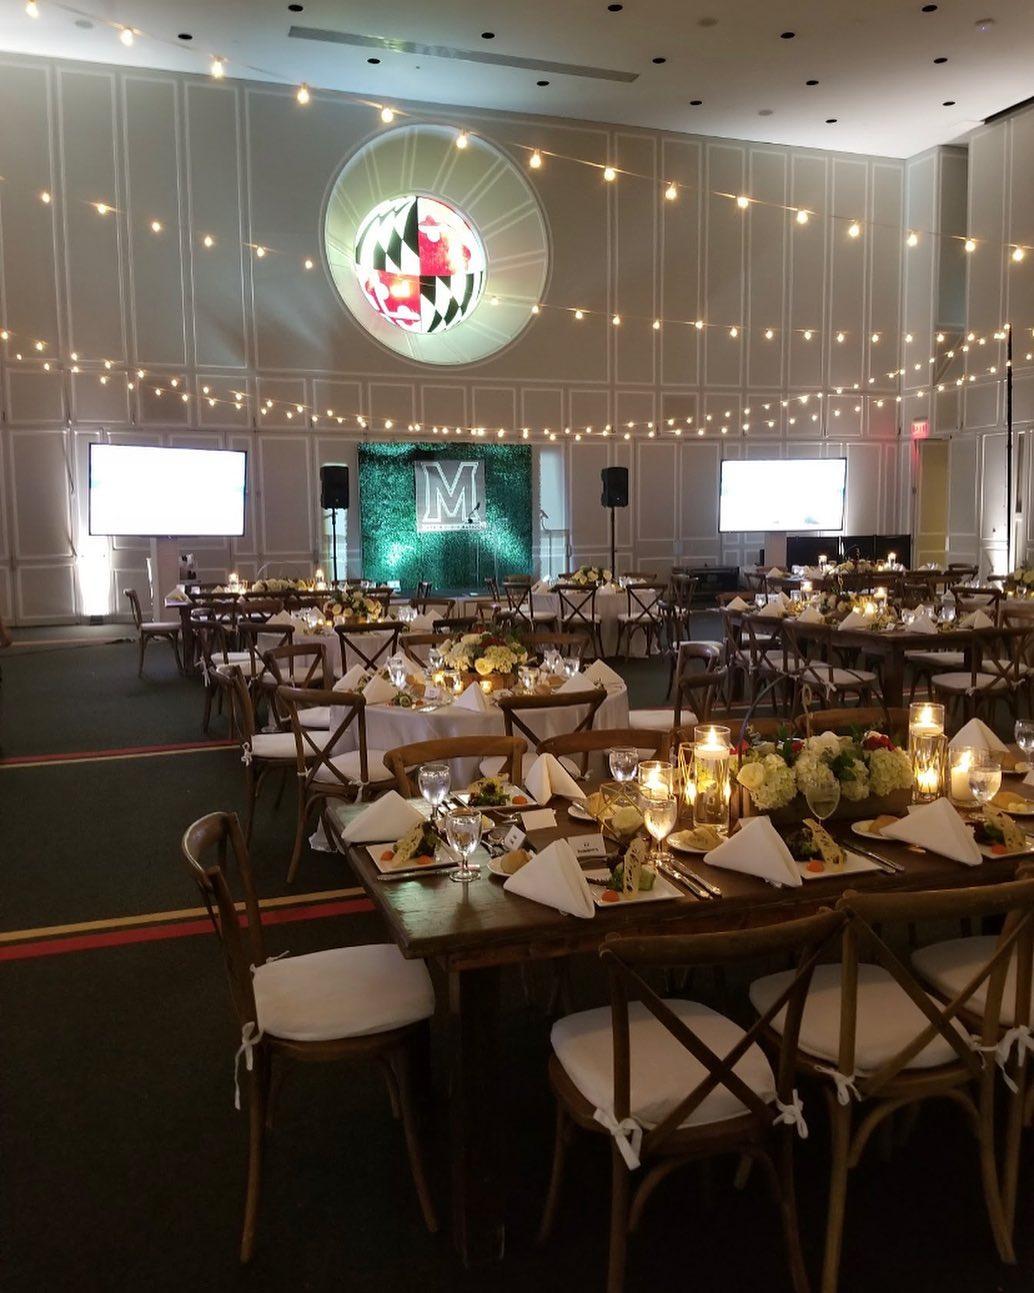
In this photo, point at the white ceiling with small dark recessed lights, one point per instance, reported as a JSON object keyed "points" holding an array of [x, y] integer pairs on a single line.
{"points": [[874, 60]]}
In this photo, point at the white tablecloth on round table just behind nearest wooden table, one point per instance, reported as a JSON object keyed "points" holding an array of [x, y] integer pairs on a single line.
{"points": [[388, 726]]}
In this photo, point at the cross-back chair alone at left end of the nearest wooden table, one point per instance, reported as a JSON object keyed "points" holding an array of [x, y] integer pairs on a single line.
{"points": [[271, 1007]]}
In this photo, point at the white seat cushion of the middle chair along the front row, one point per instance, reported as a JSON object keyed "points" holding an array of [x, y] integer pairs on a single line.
{"points": [[887, 1018]]}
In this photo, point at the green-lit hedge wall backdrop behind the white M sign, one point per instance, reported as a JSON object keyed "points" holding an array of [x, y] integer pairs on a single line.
{"points": [[392, 548]]}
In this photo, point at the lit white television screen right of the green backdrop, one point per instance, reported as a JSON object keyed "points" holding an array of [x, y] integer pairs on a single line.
{"points": [[783, 495]]}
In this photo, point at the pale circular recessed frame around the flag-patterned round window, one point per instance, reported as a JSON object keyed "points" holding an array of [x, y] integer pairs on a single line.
{"points": [[488, 191]]}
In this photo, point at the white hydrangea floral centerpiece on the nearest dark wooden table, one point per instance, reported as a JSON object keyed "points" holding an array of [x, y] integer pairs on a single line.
{"points": [[868, 766]]}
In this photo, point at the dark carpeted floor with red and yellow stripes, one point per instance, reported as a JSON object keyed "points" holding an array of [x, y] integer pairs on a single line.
{"points": [[122, 1154]]}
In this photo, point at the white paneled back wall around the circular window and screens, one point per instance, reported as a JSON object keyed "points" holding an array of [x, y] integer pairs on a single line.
{"points": [[242, 165]]}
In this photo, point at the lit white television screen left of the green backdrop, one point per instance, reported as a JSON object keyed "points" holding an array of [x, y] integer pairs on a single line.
{"points": [[143, 491]]}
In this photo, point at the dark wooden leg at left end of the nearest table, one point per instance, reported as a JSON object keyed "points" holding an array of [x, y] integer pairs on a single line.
{"points": [[476, 1117]]}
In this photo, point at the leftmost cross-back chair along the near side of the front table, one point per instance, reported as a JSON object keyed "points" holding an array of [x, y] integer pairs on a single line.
{"points": [[671, 1082]]}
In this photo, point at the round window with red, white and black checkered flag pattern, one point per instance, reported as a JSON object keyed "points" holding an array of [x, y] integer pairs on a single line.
{"points": [[421, 264]]}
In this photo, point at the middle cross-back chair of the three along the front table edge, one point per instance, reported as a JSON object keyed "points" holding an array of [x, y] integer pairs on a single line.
{"points": [[876, 1039]]}
